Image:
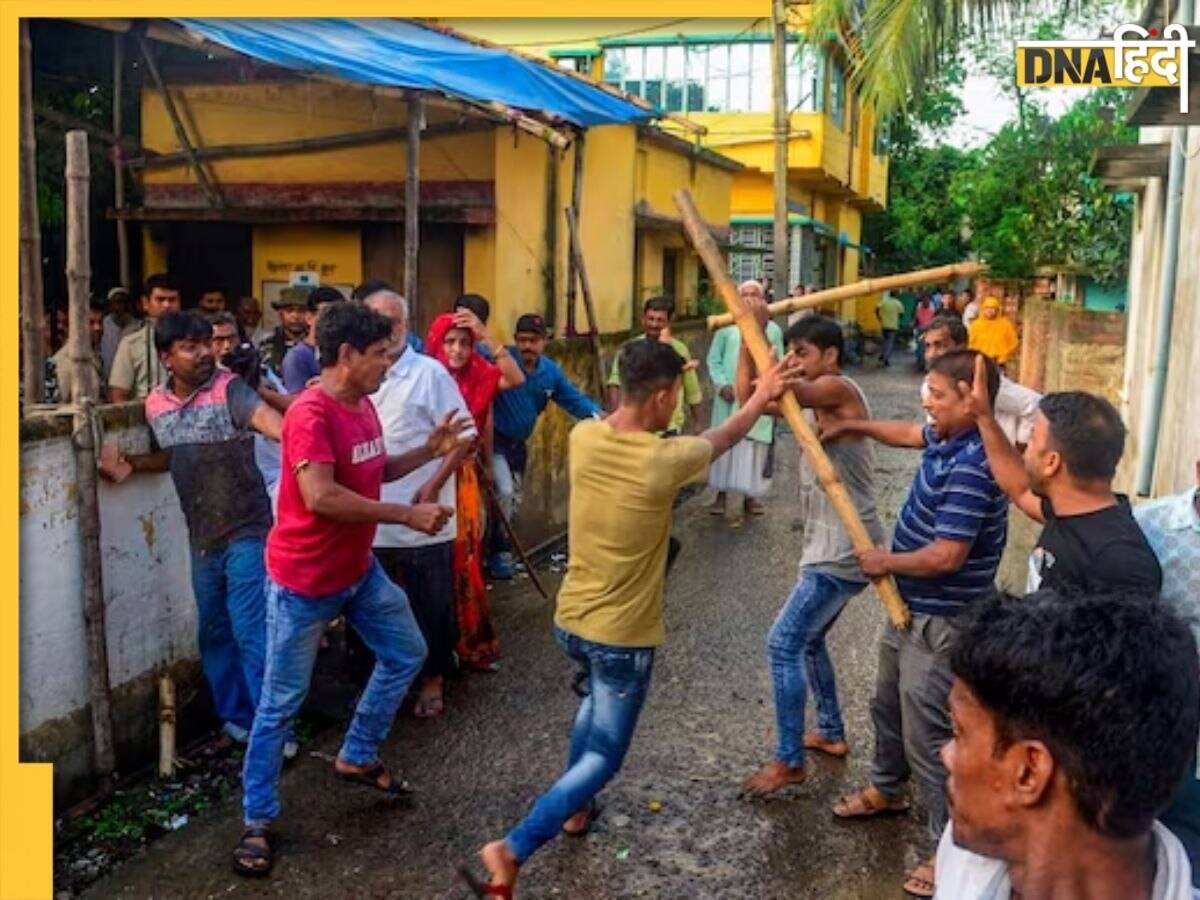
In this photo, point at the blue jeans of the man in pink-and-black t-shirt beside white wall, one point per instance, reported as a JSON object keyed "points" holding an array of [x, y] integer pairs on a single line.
{"points": [[232, 626]]}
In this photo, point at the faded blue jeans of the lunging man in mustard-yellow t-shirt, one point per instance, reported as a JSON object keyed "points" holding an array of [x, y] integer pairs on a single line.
{"points": [[619, 680]]}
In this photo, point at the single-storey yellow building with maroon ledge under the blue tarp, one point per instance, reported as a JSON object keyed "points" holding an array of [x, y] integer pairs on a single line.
{"points": [[493, 203]]}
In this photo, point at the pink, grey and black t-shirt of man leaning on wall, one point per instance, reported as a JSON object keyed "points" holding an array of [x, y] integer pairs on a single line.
{"points": [[211, 451]]}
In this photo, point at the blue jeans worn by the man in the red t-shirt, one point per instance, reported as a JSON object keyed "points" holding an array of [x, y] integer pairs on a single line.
{"points": [[380, 613]]}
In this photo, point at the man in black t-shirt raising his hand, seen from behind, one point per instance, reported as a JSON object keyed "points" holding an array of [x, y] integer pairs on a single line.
{"points": [[1091, 542]]}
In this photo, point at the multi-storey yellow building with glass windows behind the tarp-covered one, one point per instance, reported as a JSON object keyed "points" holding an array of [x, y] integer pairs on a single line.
{"points": [[717, 74]]}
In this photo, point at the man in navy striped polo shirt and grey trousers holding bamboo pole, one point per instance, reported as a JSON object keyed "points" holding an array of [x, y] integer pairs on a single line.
{"points": [[945, 553]]}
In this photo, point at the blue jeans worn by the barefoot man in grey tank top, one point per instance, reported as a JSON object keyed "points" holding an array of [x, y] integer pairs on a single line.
{"points": [[800, 661]]}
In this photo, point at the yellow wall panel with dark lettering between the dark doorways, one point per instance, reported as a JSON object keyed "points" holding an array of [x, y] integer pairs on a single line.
{"points": [[333, 251]]}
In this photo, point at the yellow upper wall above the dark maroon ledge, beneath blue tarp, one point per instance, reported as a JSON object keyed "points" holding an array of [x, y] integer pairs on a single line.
{"points": [[266, 113]]}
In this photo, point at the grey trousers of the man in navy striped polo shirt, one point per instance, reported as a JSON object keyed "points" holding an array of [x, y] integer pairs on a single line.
{"points": [[911, 713]]}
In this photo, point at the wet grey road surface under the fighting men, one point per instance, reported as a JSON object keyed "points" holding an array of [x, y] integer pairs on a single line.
{"points": [[707, 724]]}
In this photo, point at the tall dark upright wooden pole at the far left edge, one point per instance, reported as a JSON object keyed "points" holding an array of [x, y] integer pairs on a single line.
{"points": [[33, 310]]}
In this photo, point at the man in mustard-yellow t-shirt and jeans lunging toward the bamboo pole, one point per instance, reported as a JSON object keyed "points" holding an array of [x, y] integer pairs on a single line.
{"points": [[625, 479]]}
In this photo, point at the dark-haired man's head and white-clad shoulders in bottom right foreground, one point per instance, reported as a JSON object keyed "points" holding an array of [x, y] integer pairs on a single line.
{"points": [[1075, 721]]}
